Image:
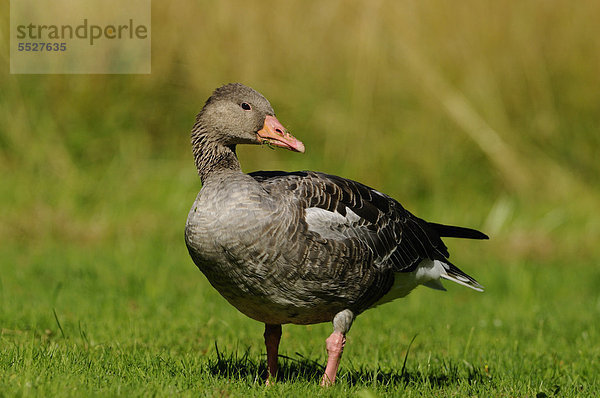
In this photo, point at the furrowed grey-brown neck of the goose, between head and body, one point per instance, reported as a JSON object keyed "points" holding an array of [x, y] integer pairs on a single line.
{"points": [[211, 157]]}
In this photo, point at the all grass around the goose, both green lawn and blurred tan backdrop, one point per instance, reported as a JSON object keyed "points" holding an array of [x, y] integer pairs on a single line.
{"points": [[466, 119]]}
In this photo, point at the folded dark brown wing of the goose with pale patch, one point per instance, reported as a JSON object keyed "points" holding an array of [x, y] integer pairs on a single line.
{"points": [[344, 210]]}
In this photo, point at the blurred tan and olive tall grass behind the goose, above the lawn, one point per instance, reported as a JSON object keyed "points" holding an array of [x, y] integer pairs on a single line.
{"points": [[488, 110]]}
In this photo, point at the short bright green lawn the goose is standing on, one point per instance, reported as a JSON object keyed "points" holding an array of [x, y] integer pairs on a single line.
{"points": [[141, 320]]}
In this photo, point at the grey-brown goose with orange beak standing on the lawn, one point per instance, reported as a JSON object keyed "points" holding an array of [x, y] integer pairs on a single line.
{"points": [[302, 247]]}
